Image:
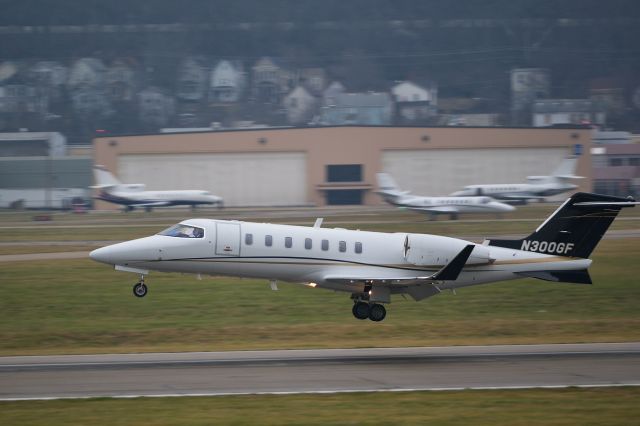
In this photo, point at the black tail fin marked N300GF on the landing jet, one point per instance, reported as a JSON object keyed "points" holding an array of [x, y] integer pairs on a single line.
{"points": [[574, 229]]}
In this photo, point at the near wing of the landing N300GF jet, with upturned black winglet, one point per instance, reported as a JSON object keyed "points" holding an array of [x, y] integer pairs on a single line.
{"points": [[419, 287]]}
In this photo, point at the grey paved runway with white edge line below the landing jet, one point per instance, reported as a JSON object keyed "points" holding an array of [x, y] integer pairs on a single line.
{"points": [[319, 371]]}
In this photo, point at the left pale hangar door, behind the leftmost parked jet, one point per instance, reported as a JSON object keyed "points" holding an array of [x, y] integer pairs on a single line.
{"points": [[242, 179]]}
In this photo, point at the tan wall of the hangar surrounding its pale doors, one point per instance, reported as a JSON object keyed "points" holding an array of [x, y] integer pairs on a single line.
{"points": [[344, 145]]}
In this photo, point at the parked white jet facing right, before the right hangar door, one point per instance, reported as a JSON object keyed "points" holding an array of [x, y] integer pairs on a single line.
{"points": [[452, 206]]}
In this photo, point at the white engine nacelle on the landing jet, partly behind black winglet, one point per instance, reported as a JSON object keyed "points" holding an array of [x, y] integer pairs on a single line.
{"points": [[422, 250]]}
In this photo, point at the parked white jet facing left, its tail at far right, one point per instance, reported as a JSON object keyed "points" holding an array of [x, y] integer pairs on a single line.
{"points": [[537, 188]]}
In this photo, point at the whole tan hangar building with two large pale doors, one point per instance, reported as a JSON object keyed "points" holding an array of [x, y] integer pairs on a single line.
{"points": [[318, 166]]}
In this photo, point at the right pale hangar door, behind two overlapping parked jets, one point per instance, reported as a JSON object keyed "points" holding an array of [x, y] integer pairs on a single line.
{"points": [[442, 171]]}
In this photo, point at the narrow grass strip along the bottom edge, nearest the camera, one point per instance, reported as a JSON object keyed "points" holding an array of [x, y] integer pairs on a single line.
{"points": [[604, 406]]}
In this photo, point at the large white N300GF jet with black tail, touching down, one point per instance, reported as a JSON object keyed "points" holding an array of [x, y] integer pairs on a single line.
{"points": [[371, 265]]}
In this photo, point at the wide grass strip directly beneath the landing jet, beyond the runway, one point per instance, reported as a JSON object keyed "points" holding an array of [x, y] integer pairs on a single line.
{"points": [[78, 306]]}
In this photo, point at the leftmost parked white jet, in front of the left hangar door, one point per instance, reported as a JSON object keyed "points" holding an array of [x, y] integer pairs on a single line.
{"points": [[134, 195]]}
